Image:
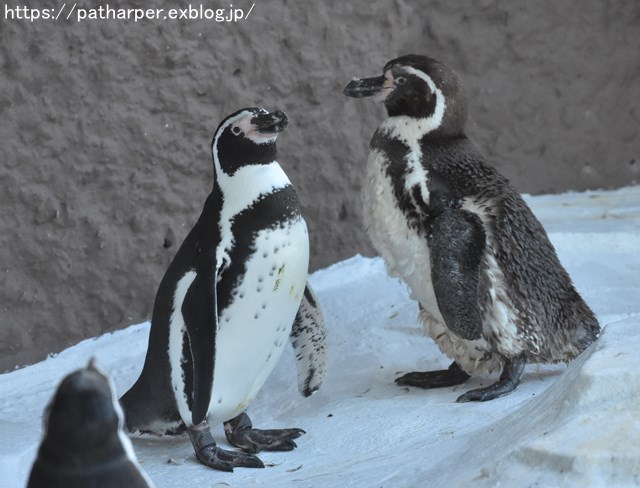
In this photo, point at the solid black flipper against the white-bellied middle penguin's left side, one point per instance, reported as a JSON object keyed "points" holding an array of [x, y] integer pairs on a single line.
{"points": [[199, 310]]}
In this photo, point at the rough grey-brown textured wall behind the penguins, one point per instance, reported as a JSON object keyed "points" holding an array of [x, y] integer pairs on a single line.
{"points": [[105, 129]]}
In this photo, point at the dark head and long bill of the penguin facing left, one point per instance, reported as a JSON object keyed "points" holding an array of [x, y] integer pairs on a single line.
{"points": [[420, 88]]}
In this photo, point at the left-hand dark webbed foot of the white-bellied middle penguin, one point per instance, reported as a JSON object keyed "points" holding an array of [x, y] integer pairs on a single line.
{"points": [[210, 455]]}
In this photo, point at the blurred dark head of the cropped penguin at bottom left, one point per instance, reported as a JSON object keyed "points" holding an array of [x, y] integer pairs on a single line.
{"points": [[83, 415]]}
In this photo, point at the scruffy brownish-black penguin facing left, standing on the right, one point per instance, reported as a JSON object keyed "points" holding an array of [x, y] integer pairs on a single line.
{"points": [[491, 290]]}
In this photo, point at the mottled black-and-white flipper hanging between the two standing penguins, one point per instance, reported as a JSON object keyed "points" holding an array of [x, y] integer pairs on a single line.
{"points": [[309, 338]]}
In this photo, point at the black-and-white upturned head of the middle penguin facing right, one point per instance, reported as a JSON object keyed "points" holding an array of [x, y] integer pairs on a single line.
{"points": [[247, 137]]}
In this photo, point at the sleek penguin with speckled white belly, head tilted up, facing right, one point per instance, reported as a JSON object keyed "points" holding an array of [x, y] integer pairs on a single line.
{"points": [[234, 292]]}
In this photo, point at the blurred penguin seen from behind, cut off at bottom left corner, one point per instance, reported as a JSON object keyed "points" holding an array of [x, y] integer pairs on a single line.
{"points": [[84, 442]]}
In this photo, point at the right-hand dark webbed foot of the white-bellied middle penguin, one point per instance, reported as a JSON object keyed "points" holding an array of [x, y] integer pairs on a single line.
{"points": [[240, 433]]}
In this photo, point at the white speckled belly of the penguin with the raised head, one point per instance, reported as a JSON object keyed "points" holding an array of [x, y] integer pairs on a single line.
{"points": [[252, 332]]}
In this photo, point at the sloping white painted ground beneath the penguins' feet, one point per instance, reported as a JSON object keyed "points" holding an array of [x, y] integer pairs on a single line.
{"points": [[563, 426]]}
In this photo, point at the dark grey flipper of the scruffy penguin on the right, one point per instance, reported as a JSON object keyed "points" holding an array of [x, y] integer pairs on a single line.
{"points": [[457, 244]]}
